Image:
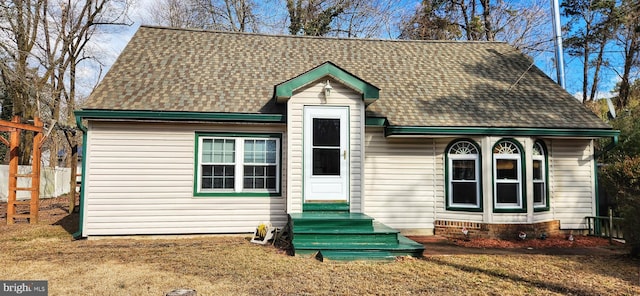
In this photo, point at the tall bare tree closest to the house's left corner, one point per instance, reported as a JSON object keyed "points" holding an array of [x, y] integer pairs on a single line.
{"points": [[68, 28]]}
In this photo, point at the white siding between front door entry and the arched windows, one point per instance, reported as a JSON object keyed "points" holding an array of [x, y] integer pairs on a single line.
{"points": [[402, 180]]}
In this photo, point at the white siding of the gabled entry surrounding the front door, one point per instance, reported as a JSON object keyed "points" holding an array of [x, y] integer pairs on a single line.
{"points": [[313, 95]]}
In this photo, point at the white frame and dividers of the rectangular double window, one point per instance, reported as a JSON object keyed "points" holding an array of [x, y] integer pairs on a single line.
{"points": [[239, 165]]}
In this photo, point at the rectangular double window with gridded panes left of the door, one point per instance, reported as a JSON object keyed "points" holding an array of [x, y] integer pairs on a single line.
{"points": [[238, 164]]}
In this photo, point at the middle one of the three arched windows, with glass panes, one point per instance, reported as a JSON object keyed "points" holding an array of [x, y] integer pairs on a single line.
{"points": [[507, 172]]}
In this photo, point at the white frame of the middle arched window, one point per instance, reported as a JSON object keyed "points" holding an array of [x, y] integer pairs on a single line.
{"points": [[508, 156]]}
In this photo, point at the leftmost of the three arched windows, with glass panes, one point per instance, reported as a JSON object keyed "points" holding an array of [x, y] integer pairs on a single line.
{"points": [[463, 184]]}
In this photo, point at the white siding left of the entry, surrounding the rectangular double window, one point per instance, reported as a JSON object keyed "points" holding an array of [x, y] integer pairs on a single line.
{"points": [[140, 180]]}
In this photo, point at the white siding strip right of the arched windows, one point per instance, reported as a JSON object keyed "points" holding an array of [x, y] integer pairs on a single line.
{"points": [[572, 181]]}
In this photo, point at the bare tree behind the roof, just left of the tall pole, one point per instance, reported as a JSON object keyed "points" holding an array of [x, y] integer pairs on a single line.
{"points": [[523, 24]]}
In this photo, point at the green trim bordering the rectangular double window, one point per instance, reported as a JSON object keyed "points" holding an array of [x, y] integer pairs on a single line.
{"points": [[196, 165]]}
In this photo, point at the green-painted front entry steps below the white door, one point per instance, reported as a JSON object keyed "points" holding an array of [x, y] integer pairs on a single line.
{"points": [[348, 236]]}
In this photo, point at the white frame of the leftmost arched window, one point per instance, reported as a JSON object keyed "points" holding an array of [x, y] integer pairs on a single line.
{"points": [[470, 156]]}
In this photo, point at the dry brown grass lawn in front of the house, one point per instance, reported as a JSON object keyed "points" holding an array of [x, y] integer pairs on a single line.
{"points": [[233, 266]]}
